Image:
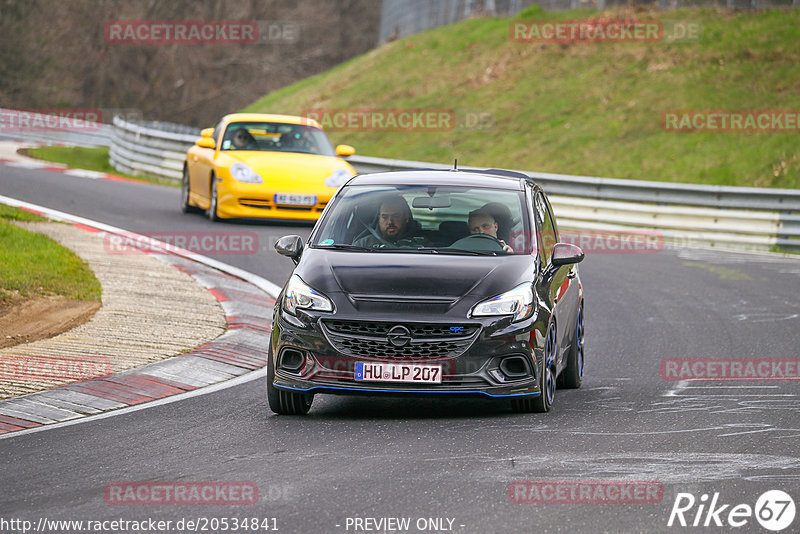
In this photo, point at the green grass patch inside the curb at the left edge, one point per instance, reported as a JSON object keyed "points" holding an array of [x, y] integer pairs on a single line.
{"points": [[35, 265]]}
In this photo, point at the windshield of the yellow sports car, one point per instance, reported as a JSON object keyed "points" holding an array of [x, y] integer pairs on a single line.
{"points": [[276, 137]]}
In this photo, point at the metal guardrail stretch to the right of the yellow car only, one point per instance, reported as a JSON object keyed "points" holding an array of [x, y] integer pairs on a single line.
{"points": [[685, 214]]}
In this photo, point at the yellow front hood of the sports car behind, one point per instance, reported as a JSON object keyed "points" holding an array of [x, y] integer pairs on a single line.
{"points": [[300, 169]]}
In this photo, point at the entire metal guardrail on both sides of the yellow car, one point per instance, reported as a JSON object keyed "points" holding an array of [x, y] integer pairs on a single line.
{"points": [[687, 214]]}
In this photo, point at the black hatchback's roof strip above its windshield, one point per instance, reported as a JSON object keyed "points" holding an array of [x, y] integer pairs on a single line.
{"points": [[490, 178]]}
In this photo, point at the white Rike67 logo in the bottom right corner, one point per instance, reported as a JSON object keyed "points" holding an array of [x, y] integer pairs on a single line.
{"points": [[774, 510]]}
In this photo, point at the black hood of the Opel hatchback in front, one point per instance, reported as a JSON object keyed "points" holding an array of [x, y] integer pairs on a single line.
{"points": [[412, 275]]}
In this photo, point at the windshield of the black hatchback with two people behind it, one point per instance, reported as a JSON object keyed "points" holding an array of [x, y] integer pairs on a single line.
{"points": [[427, 219]]}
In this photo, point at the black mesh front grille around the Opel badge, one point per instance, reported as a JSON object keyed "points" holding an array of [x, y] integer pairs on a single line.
{"points": [[370, 339]]}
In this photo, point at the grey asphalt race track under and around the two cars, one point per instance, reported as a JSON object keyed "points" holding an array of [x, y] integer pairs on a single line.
{"points": [[356, 458]]}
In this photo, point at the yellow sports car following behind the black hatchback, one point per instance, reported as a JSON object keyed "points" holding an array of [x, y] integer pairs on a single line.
{"points": [[259, 165]]}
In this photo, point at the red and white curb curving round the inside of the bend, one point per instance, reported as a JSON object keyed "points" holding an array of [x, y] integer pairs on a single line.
{"points": [[247, 300]]}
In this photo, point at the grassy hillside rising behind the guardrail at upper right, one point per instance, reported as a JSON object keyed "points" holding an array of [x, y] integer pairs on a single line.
{"points": [[582, 108]]}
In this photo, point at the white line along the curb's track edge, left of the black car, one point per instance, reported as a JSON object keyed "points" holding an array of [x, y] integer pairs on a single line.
{"points": [[262, 283]]}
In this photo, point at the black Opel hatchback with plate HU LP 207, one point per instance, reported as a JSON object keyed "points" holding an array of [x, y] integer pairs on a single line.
{"points": [[430, 282]]}
